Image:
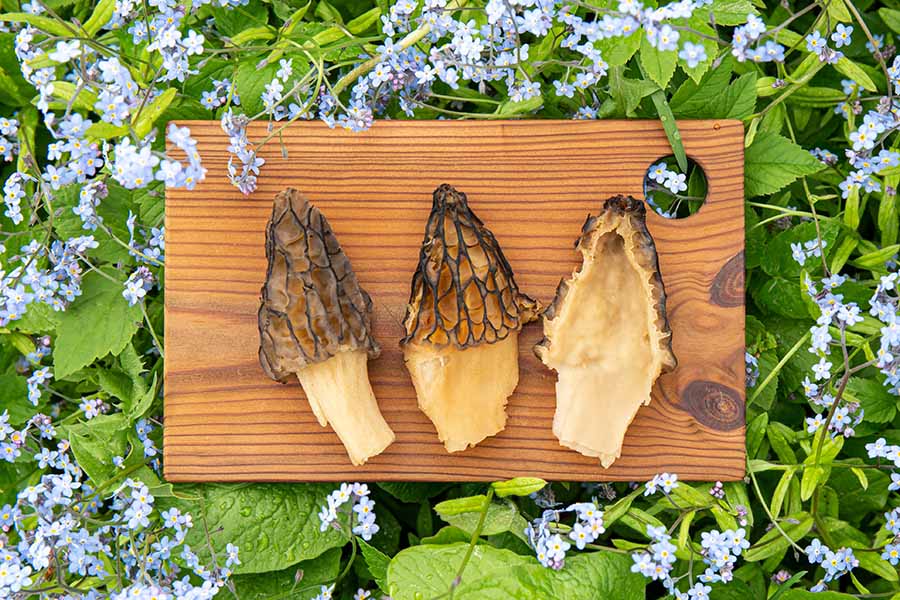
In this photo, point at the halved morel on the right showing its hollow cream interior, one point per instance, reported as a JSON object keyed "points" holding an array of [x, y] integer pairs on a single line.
{"points": [[606, 333]]}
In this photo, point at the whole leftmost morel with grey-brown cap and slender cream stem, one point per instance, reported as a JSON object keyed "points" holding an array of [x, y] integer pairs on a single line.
{"points": [[315, 321]]}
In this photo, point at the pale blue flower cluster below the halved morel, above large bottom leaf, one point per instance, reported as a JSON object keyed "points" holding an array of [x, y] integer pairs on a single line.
{"points": [[546, 534]]}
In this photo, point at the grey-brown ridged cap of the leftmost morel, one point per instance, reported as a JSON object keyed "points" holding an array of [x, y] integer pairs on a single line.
{"points": [[312, 304]]}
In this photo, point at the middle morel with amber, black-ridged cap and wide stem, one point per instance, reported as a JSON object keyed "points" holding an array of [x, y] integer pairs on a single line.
{"points": [[462, 325]]}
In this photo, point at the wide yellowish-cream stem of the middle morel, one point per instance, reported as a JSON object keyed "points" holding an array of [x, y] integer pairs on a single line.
{"points": [[464, 392]]}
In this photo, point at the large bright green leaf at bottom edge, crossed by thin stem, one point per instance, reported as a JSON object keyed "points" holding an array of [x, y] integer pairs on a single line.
{"points": [[495, 574]]}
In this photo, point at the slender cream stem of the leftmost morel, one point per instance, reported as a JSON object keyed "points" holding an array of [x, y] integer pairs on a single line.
{"points": [[340, 394]]}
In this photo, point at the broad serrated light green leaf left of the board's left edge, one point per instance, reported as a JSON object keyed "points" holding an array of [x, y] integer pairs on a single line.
{"points": [[97, 323]]}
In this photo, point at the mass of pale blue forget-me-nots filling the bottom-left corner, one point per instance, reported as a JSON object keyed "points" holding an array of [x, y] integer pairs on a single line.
{"points": [[63, 524]]}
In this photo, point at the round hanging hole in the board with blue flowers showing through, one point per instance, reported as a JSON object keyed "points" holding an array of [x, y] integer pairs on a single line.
{"points": [[673, 193]]}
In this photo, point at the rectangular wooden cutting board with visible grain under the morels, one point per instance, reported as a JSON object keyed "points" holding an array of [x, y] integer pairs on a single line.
{"points": [[532, 183]]}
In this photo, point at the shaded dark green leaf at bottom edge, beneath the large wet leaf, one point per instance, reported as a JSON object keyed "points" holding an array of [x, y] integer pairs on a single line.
{"points": [[312, 574]]}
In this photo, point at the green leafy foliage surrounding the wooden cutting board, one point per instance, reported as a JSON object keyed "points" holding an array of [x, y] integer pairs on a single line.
{"points": [[464, 541]]}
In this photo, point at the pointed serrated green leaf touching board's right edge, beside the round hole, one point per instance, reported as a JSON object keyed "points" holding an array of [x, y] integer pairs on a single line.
{"points": [[772, 162]]}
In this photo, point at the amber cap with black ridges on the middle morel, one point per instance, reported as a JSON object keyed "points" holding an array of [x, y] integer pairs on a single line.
{"points": [[463, 292]]}
